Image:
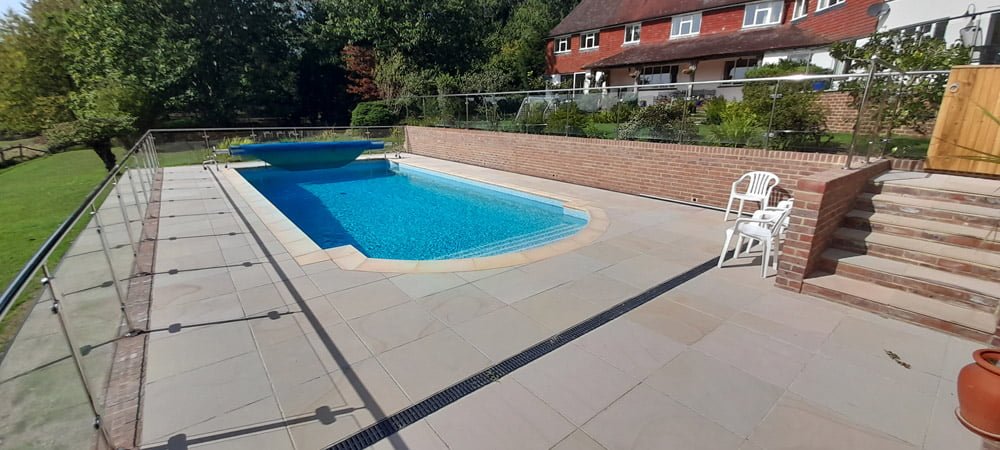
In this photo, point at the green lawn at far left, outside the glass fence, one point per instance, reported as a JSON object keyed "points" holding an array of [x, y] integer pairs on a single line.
{"points": [[37, 196]]}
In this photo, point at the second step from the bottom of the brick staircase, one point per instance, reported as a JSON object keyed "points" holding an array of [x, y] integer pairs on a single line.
{"points": [[948, 287]]}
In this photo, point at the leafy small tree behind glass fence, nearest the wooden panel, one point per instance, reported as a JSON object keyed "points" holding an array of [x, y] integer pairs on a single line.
{"points": [[905, 102]]}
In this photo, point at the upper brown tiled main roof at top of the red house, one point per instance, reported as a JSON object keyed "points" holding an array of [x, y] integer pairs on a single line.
{"points": [[595, 14]]}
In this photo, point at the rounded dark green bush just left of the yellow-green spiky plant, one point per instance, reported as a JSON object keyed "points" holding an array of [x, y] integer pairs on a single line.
{"points": [[668, 121]]}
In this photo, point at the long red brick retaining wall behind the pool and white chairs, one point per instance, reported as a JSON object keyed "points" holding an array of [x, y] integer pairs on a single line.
{"points": [[679, 172]]}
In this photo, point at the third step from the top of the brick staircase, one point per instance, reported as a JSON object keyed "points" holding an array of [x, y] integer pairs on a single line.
{"points": [[927, 230]]}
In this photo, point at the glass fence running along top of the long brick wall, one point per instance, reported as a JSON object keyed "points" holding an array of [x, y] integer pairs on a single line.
{"points": [[814, 113]]}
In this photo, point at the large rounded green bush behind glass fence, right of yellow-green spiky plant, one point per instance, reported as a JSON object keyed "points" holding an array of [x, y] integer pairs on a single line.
{"points": [[796, 110]]}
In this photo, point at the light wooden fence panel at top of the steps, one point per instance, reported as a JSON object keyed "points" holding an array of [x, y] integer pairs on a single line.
{"points": [[962, 123]]}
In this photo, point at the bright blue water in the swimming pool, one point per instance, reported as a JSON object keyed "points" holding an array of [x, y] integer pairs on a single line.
{"points": [[399, 212]]}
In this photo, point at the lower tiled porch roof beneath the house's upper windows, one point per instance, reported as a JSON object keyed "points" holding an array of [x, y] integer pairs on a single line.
{"points": [[714, 45]]}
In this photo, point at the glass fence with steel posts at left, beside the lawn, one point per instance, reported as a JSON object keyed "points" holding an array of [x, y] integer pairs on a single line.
{"points": [[65, 311]]}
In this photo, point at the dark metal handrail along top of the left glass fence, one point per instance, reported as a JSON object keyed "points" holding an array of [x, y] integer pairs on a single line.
{"points": [[21, 280]]}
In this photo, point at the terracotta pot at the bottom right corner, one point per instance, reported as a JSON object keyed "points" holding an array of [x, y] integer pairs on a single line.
{"points": [[979, 394]]}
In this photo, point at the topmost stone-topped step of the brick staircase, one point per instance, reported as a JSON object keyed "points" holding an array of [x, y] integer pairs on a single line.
{"points": [[949, 188]]}
